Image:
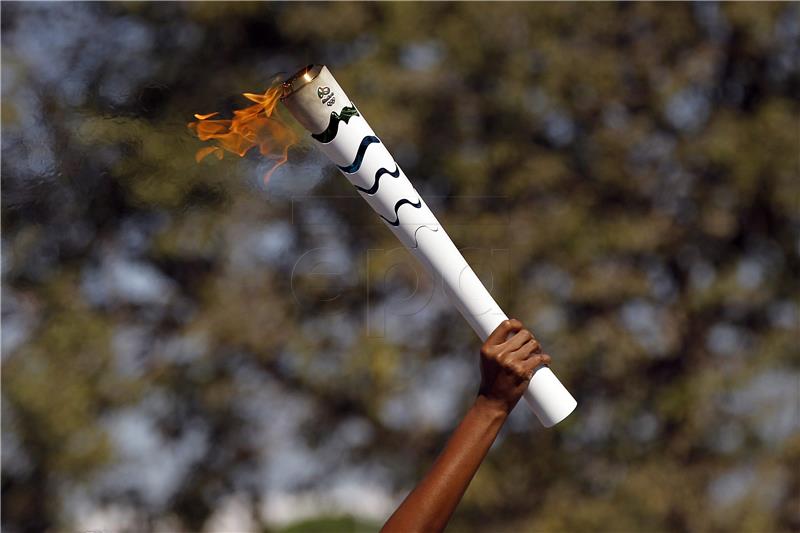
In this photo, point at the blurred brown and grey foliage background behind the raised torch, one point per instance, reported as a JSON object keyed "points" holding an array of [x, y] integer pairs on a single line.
{"points": [[186, 347]]}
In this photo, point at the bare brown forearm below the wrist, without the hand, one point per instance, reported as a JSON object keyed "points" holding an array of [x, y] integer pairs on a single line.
{"points": [[429, 506]]}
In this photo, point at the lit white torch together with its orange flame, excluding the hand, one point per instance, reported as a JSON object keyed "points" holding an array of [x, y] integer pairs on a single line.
{"points": [[320, 105]]}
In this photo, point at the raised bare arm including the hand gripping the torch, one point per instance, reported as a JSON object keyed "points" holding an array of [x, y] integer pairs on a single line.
{"points": [[507, 365]]}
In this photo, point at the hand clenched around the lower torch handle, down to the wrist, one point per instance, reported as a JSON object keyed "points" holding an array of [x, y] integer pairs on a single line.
{"points": [[507, 364]]}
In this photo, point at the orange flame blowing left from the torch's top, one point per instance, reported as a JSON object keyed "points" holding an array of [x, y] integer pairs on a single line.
{"points": [[256, 125]]}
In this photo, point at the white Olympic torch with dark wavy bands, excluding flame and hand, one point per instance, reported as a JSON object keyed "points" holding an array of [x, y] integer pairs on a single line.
{"points": [[320, 105]]}
